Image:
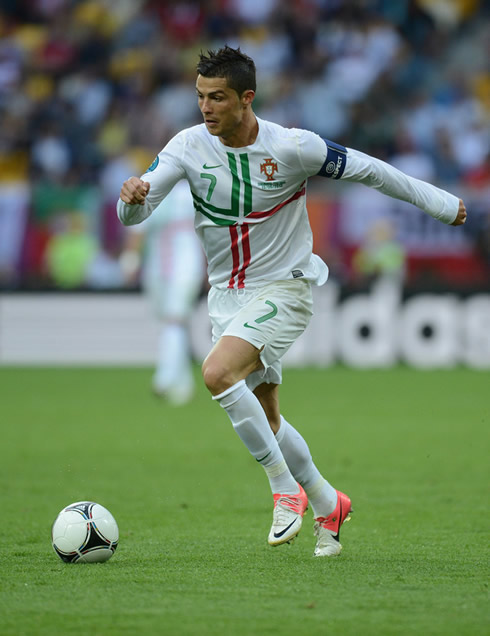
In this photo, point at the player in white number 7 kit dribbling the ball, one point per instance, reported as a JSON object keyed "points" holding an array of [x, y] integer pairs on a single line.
{"points": [[248, 180]]}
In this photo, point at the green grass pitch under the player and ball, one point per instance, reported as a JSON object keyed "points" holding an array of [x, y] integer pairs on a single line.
{"points": [[194, 509]]}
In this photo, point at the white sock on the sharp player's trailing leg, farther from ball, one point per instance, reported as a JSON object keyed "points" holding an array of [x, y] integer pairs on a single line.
{"points": [[321, 495]]}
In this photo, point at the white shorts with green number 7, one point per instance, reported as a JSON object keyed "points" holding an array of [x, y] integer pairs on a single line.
{"points": [[271, 318]]}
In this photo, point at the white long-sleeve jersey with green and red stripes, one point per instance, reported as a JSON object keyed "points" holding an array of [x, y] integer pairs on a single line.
{"points": [[250, 202]]}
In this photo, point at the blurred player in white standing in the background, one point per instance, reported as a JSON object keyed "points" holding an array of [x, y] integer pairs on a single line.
{"points": [[172, 276]]}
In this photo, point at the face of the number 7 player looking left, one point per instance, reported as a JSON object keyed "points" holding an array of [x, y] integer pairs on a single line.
{"points": [[222, 108]]}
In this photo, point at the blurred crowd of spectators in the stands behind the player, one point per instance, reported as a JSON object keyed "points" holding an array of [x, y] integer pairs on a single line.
{"points": [[91, 90]]}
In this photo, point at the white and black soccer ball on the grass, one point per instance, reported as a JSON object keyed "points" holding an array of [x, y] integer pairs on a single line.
{"points": [[84, 532]]}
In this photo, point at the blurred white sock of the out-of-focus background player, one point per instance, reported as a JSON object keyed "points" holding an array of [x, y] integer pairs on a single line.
{"points": [[173, 363]]}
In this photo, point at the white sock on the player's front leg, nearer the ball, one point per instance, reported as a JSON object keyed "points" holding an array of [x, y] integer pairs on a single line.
{"points": [[251, 424]]}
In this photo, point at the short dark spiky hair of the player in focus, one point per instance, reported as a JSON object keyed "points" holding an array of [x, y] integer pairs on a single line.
{"points": [[237, 68]]}
